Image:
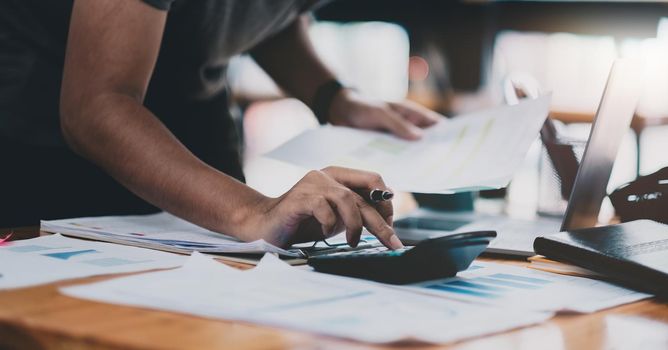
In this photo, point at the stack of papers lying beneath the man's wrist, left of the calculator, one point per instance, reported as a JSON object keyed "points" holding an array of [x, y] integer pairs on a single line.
{"points": [[161, 231]]}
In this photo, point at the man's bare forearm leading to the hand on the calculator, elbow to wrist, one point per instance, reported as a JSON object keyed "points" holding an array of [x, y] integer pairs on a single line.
{"points": [[120, 135]]}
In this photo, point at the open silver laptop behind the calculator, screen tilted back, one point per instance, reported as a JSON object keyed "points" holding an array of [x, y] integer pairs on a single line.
{"points": [[515, 237]]}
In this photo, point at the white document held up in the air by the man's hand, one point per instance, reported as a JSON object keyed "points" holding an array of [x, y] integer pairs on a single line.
{"points": [[473, 151]]}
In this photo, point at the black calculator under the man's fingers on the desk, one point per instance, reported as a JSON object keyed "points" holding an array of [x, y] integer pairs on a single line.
{"points": [[430, 259]]}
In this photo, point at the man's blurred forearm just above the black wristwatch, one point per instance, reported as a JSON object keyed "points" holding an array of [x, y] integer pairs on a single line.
{"points": [[290, 59]]}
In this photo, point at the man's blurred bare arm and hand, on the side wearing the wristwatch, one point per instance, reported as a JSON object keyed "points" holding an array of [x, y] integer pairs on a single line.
{"points": [[290, 59]]}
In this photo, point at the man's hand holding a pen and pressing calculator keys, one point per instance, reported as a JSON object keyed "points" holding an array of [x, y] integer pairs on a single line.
{"points": [[322, 204]]}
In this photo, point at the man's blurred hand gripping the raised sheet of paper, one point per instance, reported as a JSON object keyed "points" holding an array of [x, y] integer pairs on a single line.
{"points": [[403, 119]]}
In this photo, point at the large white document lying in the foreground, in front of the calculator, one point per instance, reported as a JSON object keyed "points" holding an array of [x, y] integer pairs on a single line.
{"points": [[276, 294]]}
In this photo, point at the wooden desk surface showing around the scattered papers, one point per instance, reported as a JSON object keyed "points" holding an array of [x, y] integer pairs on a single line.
{"points": [[41, 318]]}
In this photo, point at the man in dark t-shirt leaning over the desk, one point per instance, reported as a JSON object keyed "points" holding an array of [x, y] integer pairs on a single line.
{"points": [[137, 88]]}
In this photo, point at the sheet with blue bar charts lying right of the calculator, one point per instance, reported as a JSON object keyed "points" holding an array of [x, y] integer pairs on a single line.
{"points": [[528, 289]]}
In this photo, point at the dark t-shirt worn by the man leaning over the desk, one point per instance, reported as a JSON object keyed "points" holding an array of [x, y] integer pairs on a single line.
{"points": [[187, 89]]}
